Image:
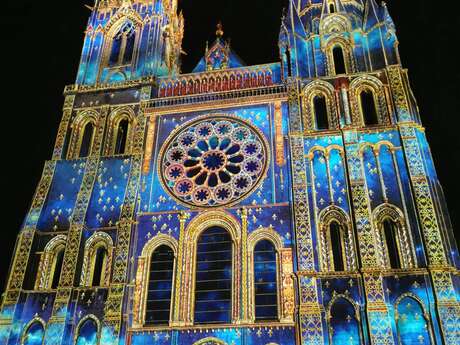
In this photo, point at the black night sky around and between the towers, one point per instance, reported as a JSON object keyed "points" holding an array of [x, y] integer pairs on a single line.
{"points": [[41, 45]]}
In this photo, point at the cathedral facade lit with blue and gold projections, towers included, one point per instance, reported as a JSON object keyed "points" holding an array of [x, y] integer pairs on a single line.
{"points": [[294, 202]]}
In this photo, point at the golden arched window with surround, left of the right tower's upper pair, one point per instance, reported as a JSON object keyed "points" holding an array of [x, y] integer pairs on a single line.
{"points": [[323, 90]]}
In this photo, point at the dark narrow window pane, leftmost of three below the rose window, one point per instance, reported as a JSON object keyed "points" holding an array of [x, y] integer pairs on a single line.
{"points": [[160, 284]]}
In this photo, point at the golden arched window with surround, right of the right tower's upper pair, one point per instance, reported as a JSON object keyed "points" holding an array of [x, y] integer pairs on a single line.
{"points": [[369, 86]]}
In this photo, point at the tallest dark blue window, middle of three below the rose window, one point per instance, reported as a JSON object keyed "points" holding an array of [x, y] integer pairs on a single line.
{"points": [[213, 287]]}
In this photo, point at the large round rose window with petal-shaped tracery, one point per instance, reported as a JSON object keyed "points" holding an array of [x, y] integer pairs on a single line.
{"points": [[213, 162]]}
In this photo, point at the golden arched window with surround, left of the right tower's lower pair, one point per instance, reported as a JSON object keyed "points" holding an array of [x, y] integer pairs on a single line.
{"points": [[332, 252]]}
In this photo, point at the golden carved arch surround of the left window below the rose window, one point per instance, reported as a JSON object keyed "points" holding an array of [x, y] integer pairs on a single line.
{"points": [[143, 274]]}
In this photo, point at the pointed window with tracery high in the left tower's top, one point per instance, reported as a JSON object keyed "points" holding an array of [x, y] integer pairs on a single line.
{"points": [[122, 50]]}
